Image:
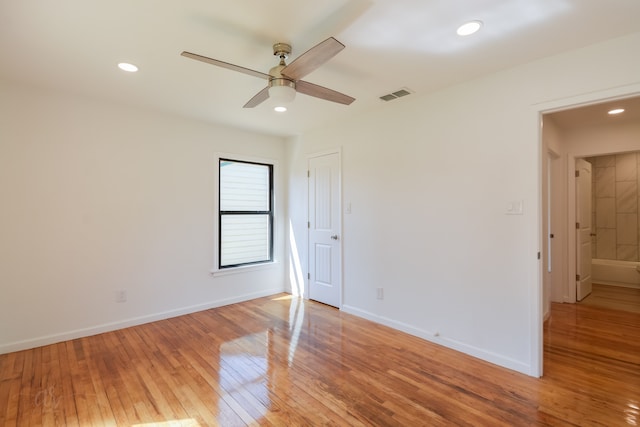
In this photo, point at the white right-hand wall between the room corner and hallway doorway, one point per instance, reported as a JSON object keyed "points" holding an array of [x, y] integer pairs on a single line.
{"points": [[429, 179]]}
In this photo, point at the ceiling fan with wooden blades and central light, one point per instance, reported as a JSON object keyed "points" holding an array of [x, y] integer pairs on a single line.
{"points": [[284, 80]]}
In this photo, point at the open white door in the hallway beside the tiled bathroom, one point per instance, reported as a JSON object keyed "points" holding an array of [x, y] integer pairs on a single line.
{"points": [[583, 226]]}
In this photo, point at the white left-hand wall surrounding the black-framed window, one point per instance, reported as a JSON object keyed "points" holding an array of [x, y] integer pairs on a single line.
{"points": [[97, 198]]}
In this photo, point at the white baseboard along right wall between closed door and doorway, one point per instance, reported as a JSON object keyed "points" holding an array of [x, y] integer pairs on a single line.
{"points": [[479, 353]]}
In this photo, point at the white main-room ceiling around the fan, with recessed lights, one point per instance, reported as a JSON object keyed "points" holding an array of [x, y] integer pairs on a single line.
{"points": [[74, 45]]}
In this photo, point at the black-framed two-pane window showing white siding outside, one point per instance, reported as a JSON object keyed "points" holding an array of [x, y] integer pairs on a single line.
{"points": [[245, 213]]}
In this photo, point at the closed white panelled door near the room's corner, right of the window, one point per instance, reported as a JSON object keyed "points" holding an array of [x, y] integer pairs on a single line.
{"points": [[325, 247]]}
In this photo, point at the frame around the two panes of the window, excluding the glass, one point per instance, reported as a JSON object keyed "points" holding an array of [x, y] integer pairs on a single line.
{"points": [[270, 213]]}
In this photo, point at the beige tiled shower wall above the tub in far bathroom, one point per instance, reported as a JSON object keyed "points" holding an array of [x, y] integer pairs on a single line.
{"points": [[615, 219]]}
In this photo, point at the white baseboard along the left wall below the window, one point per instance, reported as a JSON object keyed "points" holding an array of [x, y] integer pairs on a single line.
{"points": [[126, 323]]}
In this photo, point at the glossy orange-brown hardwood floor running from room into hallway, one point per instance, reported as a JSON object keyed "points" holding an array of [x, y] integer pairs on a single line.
{"points": [[283, 361]]}
